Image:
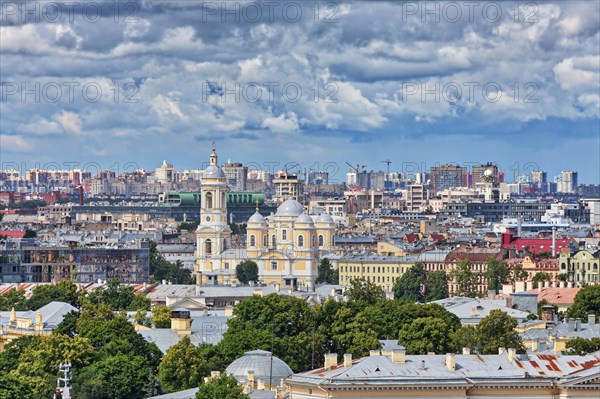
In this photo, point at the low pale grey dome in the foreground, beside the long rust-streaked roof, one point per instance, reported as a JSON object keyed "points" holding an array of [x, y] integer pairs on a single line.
{"points": [[259, 361]]}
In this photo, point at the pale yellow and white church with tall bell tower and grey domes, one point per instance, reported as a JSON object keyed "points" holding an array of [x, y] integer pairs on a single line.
{"points": [[286, 245]]}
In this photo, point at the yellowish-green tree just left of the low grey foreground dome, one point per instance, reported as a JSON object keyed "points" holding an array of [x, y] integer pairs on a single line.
{"points": [[180, 367]]}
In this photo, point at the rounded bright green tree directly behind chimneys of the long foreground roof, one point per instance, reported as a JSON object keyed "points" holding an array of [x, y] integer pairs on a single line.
{"points": [[426, 334]]}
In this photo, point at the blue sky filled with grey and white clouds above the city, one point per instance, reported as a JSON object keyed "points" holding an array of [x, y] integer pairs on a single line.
{"points": [[317, 83]]}
